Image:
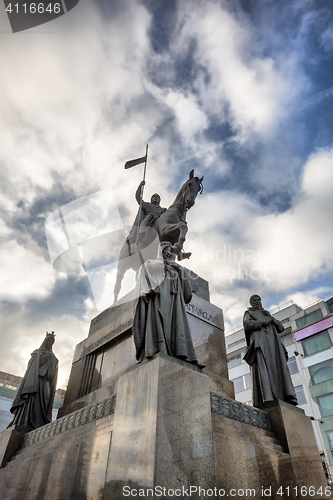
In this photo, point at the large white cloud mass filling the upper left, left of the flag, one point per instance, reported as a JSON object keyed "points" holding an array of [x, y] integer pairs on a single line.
{"points": [[55, 95]]}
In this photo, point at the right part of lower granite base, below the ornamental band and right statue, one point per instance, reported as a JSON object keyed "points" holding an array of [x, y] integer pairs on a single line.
{"points": [[252, 461]]}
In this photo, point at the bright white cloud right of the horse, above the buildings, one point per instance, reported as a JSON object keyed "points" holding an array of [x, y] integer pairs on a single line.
{"points": [[240, 249]]}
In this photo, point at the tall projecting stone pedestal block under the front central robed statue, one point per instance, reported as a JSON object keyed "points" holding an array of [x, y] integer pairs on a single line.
{"points": [[162, 434]]}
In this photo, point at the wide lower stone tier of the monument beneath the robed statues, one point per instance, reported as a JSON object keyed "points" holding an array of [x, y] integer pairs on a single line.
{"points": [[164, 430]]}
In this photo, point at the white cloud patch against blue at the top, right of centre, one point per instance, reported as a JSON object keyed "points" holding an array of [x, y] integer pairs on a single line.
{"points": [[253, 87]]}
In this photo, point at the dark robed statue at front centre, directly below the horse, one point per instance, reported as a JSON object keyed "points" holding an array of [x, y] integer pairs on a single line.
{"points": [[160, 320]]}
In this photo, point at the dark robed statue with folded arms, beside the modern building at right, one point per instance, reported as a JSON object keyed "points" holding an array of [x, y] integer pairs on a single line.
{"points": [[266, 356]]}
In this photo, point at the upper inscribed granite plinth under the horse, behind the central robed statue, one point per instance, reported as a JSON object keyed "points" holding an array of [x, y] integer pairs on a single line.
{"points": [[109, 349]]}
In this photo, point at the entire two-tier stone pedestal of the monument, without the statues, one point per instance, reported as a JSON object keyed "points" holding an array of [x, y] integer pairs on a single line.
{"points": [[160, 429]]}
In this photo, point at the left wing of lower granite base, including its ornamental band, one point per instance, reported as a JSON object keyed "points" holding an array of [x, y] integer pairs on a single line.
{"points": [[64, 460]]}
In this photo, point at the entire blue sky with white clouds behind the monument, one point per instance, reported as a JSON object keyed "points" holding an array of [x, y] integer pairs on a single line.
{"points": [[239, 90]]}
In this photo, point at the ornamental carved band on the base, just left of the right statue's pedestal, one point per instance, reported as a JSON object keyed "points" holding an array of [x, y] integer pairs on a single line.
{"points": [[239, 411]]}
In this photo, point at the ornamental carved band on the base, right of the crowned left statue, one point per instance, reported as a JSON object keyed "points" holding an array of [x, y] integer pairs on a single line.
{"points": [[72, 421]]}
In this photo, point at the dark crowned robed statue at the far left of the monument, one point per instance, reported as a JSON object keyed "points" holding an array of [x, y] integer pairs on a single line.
{"points": [[32, 406]]}
